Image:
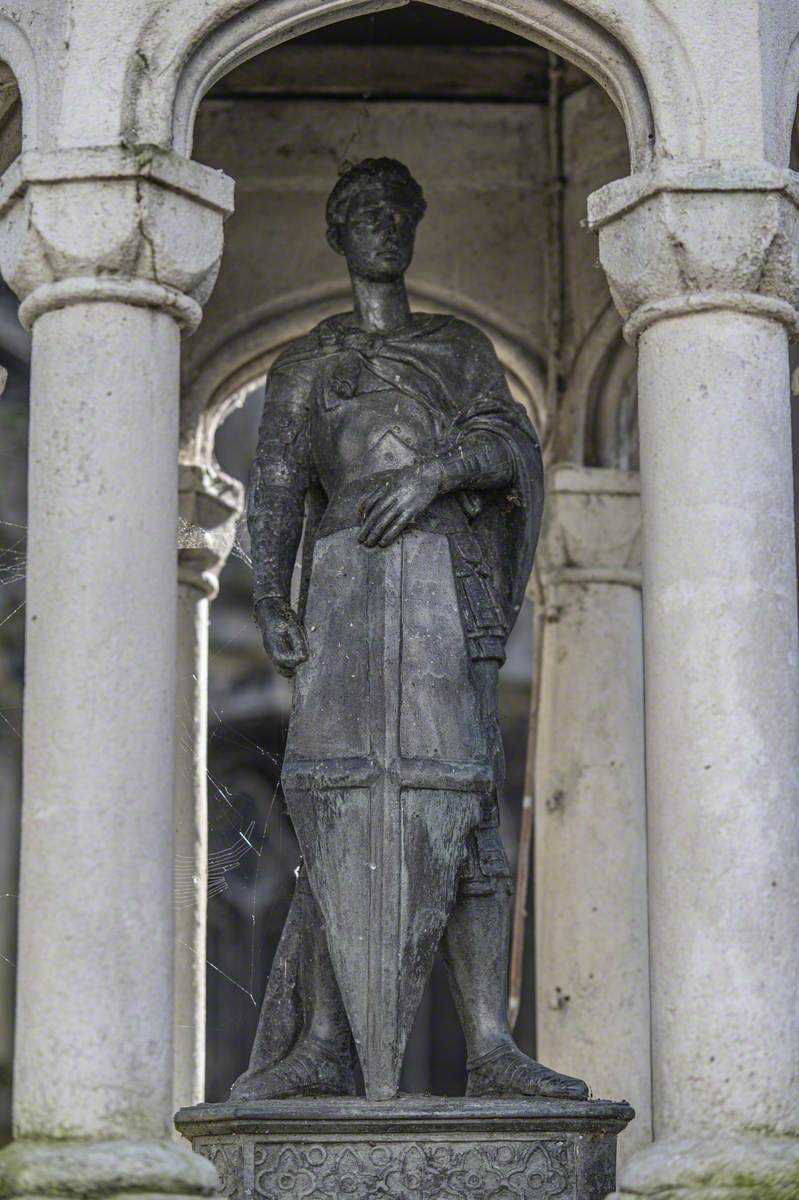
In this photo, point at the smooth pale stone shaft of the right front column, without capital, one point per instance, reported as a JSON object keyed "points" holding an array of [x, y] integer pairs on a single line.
{"points": [[723, 722]]}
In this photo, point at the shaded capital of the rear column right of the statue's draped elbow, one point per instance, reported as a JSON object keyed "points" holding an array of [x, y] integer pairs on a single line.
{"points": [[592, 527]]}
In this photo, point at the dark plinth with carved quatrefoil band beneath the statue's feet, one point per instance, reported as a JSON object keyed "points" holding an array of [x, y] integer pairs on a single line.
{"points": [[414, 1149]]}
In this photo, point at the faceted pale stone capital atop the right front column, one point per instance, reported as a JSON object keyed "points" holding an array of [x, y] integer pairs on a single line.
{"points": [[700, 237]]}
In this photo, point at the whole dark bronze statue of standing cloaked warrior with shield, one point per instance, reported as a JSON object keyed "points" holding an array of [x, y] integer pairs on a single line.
{"points": [[392, 448]]}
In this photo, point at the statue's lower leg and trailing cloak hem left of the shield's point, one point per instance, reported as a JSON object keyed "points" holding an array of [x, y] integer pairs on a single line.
{"points": [[304, 1046]]}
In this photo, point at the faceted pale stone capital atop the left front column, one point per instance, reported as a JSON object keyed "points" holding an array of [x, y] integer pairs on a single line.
{"points": [[134, 225]]}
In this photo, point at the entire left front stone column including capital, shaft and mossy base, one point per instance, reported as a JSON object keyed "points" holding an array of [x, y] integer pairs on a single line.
{"points": [[112, 250]]}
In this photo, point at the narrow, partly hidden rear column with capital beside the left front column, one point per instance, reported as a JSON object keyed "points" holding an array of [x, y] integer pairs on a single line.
{"points": [[209, 506]]}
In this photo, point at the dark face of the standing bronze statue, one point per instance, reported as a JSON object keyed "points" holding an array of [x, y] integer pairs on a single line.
{"points": [[379, 235]]}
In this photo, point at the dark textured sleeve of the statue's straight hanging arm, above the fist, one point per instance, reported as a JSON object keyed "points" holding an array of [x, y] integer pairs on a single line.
{"points": [[279, 481]]}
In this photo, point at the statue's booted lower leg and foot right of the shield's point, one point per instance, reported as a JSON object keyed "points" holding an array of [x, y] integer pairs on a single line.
{"points": [[476, 950]]}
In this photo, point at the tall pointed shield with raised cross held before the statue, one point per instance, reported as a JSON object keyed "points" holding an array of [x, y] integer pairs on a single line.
{"points": [[385, 771]]}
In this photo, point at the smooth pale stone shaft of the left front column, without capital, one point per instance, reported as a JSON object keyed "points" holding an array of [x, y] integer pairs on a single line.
{"points": [[94, 1045]]}
